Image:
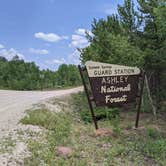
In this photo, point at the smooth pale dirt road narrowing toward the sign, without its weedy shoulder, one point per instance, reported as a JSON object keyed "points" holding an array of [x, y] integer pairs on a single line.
{"points": [[14, 103]]}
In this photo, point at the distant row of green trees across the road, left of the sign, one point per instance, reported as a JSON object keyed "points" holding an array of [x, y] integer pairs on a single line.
{"points": [[20, 75]]}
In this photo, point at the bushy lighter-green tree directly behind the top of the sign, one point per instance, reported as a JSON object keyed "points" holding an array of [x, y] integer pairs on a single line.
{"points": [[112, 46]]}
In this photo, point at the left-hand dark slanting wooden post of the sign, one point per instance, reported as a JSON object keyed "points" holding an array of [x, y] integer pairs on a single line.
{"points": [[88, 97]]}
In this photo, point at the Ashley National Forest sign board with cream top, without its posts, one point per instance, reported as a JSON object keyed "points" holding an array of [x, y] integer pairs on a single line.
{"points": [[113, 85]]}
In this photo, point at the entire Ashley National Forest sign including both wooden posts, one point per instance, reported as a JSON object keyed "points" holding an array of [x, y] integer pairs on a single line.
{"points": [[113, 85]]}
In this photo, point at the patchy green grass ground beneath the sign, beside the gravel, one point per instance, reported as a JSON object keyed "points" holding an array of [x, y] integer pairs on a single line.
{"points": [[145, 146]]}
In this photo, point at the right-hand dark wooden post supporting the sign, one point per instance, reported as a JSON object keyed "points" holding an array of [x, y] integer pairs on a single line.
{"points": [[140, 99]]}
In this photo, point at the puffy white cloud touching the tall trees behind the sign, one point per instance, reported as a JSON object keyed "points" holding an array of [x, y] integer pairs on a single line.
{"points": [[79, 39]]}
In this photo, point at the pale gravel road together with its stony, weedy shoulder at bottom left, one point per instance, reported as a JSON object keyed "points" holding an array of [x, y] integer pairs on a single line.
{"points": [[12, 108]]}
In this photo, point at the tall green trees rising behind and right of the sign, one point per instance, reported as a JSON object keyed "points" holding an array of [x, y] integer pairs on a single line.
{"points": [[135, 36]]}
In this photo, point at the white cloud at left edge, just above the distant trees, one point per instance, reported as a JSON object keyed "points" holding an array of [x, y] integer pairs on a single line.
{"points": [[9, 54]]}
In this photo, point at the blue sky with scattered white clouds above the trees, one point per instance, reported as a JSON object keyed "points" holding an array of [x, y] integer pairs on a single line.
{"points": [[49, 31]]}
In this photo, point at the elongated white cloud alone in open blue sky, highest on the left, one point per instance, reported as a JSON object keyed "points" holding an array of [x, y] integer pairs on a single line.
{"points": [[50, 37]]}
